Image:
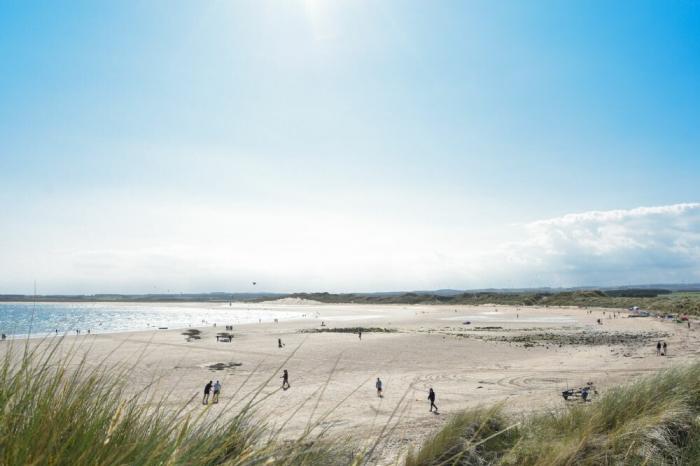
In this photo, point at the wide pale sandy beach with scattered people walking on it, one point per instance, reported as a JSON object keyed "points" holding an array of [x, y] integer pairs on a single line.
{"points": [[524, 356]]}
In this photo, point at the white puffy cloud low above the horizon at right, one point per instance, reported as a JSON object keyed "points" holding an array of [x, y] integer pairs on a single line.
{"points": [[643, 245]]}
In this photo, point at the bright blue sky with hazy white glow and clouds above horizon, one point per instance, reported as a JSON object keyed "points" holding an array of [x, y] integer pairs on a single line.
{"points": [[348, 145]]}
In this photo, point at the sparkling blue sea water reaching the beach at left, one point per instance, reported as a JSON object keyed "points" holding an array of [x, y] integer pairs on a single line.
{"points": [[20, 320]]}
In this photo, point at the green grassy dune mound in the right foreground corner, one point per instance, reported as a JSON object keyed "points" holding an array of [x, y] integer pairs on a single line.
{"points": [[655, 420]]}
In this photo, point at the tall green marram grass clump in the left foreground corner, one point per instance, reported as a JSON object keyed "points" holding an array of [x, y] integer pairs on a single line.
{"points": [[62, 411]]}
